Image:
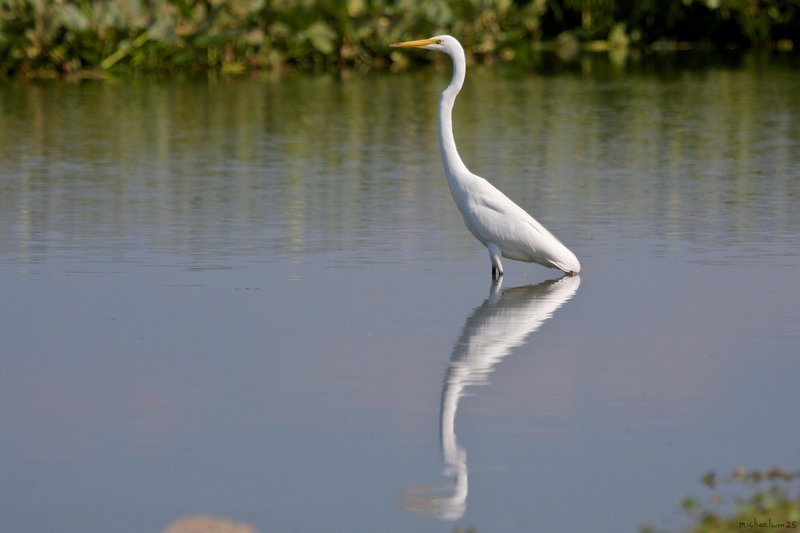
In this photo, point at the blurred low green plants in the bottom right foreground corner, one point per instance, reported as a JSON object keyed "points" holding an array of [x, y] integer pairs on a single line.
{"points": [[774, 506]]}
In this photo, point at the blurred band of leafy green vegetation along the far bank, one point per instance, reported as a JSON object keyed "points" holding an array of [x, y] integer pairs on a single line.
{"points": [[48, 38]]}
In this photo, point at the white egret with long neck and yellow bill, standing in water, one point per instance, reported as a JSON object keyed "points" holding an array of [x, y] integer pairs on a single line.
{"points": [[498, 223]]}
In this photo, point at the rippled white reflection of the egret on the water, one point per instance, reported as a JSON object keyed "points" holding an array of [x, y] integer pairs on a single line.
{"points": [[502, 322]]}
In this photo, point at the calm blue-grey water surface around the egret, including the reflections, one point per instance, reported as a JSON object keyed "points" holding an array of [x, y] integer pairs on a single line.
{"points": [[256, 299]]}
